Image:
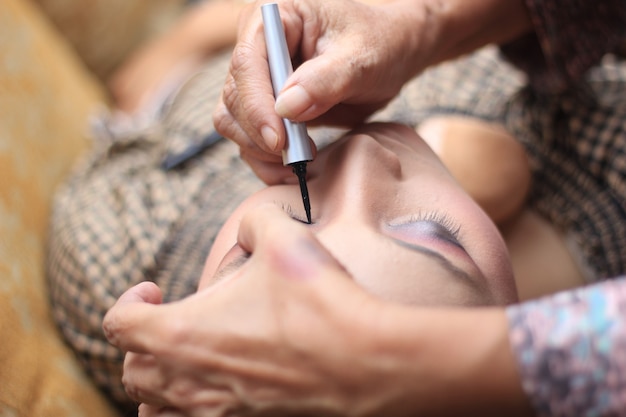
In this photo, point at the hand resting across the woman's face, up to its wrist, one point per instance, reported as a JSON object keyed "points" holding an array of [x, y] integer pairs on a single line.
{"points": [[280, 334]]}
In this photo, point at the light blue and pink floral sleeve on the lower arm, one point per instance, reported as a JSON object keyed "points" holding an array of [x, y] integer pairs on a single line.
{"points": [[571, 350]]}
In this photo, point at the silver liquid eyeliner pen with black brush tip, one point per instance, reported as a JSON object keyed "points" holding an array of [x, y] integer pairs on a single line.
{"points": [[297, 151]]}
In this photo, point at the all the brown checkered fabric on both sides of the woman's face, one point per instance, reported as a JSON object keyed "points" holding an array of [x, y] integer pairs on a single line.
{"points": [[121, 219]]}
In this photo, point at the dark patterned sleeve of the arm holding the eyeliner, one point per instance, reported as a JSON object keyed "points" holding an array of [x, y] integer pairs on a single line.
{"points": [[570, 36]]}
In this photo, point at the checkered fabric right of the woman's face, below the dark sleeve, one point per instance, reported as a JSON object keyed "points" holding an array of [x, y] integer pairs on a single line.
{"points": [[576, 142]]}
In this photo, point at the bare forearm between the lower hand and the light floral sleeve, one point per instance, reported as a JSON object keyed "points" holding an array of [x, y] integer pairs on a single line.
{"points": [[450, 362]]}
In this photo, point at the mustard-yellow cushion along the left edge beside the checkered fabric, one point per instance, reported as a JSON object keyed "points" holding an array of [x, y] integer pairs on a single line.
{"points": [[45, 99]]}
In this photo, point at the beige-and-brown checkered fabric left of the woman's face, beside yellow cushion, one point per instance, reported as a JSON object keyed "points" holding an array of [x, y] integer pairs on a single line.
{"points": [[121, 219]]}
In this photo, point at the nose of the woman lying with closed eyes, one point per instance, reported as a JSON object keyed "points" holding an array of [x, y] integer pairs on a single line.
{"points": [[357, 179]]}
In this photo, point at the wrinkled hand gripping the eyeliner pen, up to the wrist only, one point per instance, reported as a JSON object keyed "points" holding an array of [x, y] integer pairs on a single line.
{"points": [[350, 68]]}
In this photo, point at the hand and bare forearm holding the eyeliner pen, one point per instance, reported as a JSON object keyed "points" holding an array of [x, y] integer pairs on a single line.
{"points": [[354, 57]]}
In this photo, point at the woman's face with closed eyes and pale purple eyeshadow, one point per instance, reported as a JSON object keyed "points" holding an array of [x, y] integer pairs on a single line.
{"points": [[386, 208]]}
